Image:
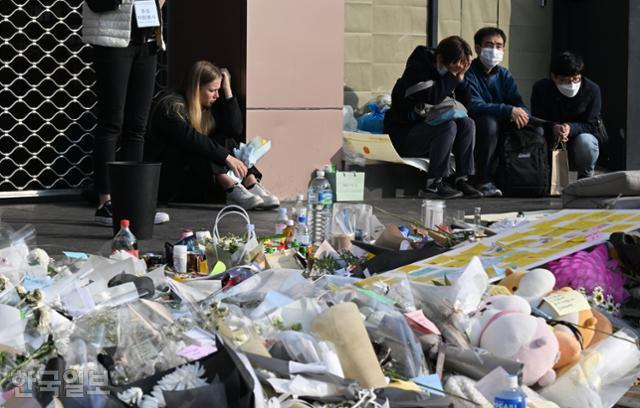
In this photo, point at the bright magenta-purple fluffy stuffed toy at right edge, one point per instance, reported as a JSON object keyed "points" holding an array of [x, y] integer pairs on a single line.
{"points": [[592, 271]]}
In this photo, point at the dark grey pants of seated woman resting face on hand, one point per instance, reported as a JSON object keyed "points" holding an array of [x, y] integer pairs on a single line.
{"points": [[437, 143]]}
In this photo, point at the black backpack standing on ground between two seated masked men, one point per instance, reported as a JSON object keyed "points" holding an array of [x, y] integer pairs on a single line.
{"points": [[523, 163]]}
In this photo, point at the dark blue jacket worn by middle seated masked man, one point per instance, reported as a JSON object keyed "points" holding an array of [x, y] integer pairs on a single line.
{"points": [[491, 94]]}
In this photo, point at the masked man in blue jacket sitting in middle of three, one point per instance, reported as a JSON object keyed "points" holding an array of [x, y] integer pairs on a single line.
{"points": [[494, 101]]}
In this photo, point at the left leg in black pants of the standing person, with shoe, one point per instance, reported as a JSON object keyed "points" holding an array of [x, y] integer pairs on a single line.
{"points": [[112, 67]]}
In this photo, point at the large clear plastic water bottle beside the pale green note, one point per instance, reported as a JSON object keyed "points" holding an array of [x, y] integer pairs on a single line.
{"points": [[320, 201]]}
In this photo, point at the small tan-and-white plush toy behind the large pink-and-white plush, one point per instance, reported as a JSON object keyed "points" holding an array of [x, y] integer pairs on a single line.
{"points": [[530, 285]]}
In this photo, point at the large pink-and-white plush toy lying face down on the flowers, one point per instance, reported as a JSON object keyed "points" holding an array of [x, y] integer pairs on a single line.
{"points": [[503, 325]]}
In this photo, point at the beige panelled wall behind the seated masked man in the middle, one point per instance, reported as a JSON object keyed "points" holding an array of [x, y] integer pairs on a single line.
{"points": [[528, 27]]}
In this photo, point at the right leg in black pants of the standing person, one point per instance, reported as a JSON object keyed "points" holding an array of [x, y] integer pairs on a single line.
{"points": [[142, 79]]}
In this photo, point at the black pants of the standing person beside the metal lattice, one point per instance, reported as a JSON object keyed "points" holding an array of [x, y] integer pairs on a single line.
{"points": [[125, 80]]}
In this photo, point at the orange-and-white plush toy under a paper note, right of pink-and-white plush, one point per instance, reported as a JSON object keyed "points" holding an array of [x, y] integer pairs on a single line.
{"points": [[584, 319]]}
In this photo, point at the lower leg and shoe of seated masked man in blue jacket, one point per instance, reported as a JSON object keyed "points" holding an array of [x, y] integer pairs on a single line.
{"points": [[487, 137]]}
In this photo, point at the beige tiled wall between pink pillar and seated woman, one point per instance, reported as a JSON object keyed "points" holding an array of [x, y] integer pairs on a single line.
{"points": [[379, 36]]}
